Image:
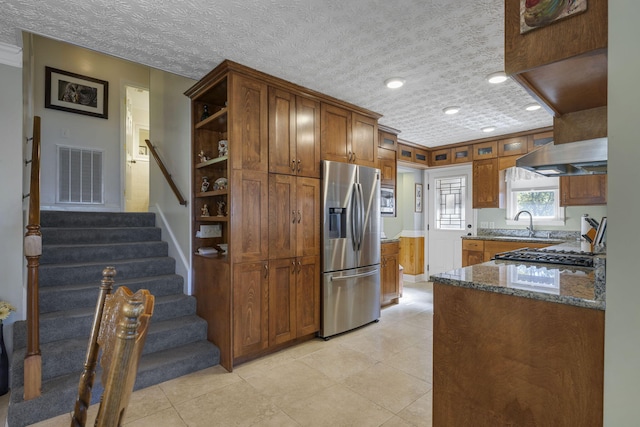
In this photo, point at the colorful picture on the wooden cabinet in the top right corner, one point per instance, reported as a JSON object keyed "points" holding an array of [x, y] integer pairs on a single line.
{"points": [[540, 13]]}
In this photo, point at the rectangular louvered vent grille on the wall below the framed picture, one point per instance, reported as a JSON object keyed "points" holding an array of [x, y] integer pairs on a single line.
{"points": [[79, 175]]}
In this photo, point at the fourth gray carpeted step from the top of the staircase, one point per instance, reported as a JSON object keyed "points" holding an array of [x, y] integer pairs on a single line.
{"points": [[63, 274]]}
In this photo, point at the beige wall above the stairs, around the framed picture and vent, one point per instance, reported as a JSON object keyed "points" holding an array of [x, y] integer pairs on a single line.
{"points": [[79, 131]]}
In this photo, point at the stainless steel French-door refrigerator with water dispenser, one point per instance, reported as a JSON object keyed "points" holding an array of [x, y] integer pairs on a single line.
{"points": [[351, 240]]}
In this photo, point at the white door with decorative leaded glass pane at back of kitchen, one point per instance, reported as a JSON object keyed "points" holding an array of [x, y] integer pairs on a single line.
{"points": [[450, 217]]}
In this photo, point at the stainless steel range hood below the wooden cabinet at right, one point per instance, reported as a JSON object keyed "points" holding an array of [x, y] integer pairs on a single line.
{"points": [[574, 158]]}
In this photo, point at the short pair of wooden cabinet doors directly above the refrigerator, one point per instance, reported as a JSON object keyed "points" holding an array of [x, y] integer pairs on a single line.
{"points": [[348, 136]]}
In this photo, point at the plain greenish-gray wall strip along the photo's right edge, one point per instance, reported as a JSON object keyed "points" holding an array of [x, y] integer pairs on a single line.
{"points": [[622, 318]]}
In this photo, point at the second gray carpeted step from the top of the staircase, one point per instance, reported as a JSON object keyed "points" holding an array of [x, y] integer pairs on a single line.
{"points": [[62, 235]]}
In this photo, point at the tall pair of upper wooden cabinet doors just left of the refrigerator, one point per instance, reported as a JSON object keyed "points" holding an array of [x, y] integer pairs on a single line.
{"points": [[294, 134]]}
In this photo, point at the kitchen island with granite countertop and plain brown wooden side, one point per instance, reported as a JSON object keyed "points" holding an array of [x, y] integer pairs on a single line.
{"points": [[519, 344]]}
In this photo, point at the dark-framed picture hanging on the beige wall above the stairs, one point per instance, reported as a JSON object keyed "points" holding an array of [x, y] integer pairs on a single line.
{"points": [[75, 93]]}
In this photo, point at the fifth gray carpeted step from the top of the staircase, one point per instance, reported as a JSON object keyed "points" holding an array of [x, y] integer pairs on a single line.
{"points": [[67, 297]]}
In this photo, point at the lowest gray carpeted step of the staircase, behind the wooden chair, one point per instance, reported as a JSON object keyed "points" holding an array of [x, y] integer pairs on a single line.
{"points": [[59, 394]]}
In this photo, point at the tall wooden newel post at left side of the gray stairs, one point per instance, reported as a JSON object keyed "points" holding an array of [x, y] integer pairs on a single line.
{"points": [[32, 251]]}
